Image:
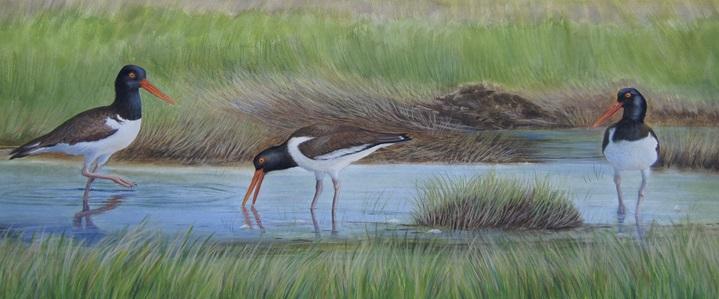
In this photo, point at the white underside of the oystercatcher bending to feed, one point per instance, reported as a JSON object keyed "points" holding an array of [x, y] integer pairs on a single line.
{"points": [[331, 163]]}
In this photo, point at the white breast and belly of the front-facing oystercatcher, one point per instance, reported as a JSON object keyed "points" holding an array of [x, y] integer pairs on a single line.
{"points": [[631, 155]]}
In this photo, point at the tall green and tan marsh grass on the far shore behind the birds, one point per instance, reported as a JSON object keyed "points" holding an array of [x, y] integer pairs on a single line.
{"points": [[58, 61]]}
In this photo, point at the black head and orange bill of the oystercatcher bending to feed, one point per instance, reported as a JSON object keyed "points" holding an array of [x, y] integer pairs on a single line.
{"points": [[271, 159]]}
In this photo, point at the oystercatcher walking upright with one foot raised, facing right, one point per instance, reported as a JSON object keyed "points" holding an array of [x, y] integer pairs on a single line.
{"points": [[98, 133]]}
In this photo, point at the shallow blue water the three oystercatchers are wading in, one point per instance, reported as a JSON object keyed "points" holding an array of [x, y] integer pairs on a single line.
{"points": [[47, 196]]}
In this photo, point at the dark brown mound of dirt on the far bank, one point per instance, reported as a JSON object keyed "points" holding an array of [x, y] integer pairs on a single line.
{"points": [[480, 107]]}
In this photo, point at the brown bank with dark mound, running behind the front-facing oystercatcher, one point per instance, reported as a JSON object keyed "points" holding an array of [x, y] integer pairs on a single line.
{"points": [[489, 108]]}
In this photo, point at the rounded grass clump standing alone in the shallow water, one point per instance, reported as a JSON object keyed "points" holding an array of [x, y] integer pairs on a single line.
{"points": [[490, 201]]}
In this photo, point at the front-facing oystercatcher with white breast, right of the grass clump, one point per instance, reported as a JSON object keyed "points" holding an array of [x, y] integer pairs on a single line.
{"points": [[629, 144]]}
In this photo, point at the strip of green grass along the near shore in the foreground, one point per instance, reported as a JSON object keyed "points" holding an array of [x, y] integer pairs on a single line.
{"points": [[676, 263]]}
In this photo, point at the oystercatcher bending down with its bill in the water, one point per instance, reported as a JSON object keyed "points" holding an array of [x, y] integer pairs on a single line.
{"points": [[322, 149]]}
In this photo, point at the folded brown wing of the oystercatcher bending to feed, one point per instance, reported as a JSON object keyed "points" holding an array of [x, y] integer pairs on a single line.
{"points": [[336, 141]]}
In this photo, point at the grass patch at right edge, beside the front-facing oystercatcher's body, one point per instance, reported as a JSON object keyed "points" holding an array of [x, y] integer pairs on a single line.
{"points": [[689, 147]]}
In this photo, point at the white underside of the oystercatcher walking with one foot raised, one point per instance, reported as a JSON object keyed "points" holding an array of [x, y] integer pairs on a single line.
{"points": [[127, 131]]}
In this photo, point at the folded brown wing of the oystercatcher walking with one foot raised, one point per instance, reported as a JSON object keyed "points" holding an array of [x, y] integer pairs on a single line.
{"points": [[87, 126]]}
